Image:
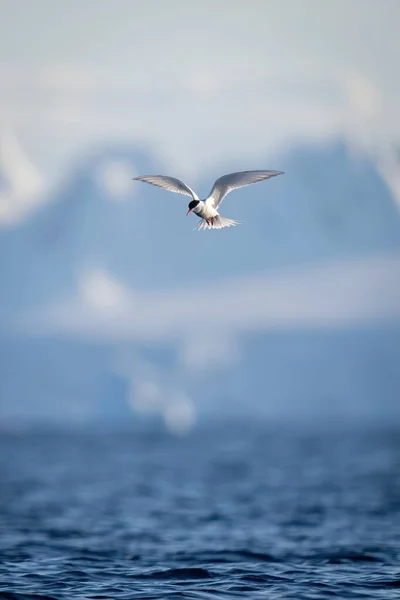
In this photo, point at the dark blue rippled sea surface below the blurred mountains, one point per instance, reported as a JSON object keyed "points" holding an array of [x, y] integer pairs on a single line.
{"points": [[227, 512]]}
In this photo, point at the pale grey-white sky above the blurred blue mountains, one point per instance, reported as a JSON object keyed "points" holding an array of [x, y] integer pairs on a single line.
{"points": [[203, 84]]}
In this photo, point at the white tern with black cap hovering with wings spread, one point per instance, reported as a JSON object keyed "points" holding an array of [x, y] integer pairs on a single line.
{"points": [[207, 209]]}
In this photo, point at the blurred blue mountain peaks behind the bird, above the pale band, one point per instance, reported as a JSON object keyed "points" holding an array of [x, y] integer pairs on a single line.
{"points": [[326, 206]]}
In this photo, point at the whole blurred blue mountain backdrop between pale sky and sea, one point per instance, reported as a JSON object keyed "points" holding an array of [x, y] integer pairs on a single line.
{"points": [[112, 307]]}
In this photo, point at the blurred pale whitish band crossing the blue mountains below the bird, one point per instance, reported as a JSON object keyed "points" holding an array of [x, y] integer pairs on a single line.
{"points": [[335, 295]]}
